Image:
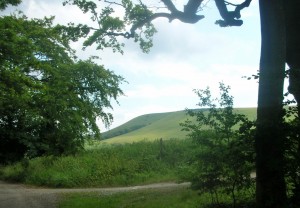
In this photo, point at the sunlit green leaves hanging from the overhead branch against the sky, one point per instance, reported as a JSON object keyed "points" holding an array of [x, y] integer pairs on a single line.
{"points": [[114, 19]]}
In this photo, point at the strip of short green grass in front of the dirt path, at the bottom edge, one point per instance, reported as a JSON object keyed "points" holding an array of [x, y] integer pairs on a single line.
{"points": [[163, 198]]}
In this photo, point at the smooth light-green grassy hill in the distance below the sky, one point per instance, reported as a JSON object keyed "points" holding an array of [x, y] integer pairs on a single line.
{"points": [[156, 126]]}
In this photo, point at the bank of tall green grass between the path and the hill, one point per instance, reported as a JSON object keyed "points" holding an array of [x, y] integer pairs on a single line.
{"points": [[107, 165]]}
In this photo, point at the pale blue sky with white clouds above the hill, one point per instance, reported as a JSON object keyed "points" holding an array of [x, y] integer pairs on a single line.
{"points": [[184, 57]]}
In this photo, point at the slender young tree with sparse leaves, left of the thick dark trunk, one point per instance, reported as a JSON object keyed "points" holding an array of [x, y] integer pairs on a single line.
{"points": [[225, 153]]}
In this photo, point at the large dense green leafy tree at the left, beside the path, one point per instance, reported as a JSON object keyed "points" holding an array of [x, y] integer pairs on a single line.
{"points": [[49, 100]]}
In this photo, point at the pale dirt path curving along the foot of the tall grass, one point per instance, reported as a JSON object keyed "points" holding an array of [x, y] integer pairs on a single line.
{"points": [[21, 196]]}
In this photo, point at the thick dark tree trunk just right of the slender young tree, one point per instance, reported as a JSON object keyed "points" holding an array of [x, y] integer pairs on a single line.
{"points": [[269, 141]]}
